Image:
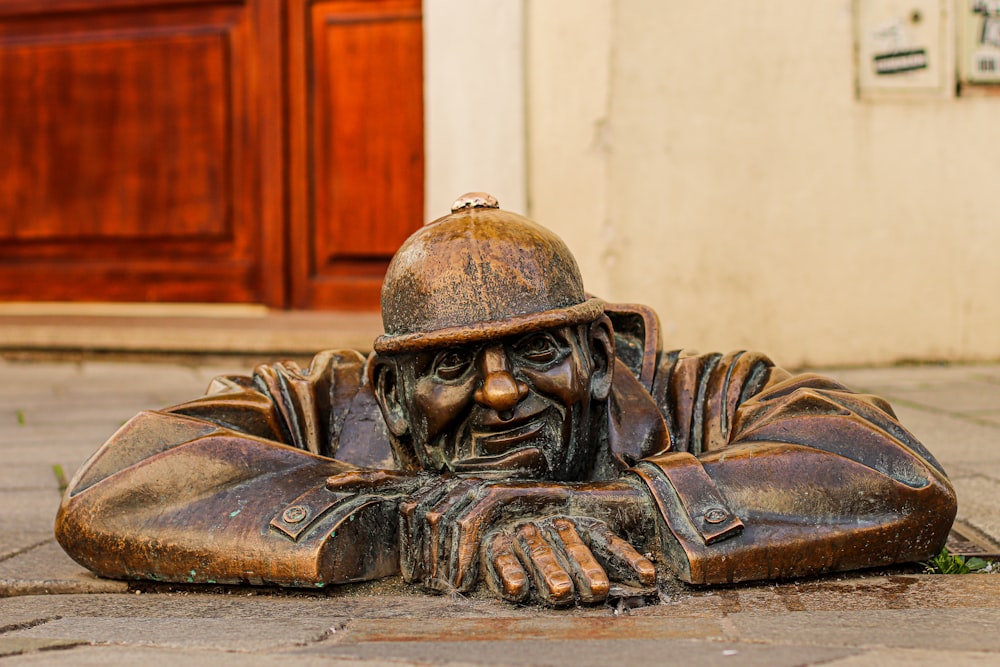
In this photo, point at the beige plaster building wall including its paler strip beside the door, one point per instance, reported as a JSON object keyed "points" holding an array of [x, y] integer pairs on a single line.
{"points": [[716, 161]]}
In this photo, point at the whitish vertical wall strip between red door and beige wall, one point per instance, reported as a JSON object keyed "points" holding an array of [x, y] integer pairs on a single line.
{"points": [[474, 102]]}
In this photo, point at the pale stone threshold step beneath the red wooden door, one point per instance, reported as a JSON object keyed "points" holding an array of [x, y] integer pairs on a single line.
{"points": [[185, 328]]}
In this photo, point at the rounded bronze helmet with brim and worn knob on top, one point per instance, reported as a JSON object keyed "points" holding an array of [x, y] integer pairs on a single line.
{"points": [[477, 274]]}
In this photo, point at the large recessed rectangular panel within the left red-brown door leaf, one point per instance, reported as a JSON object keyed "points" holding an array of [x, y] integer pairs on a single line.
{"points": [[132, 164]]}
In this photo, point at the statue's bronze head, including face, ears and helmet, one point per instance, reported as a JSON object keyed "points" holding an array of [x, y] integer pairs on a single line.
{"points": [[494, 362]]}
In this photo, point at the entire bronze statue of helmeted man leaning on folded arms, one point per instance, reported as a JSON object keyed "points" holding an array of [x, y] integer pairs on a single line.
{"points": [[512, 429]]}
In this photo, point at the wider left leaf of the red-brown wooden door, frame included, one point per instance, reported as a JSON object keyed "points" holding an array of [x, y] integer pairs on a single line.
{"points": [[132, 139]]}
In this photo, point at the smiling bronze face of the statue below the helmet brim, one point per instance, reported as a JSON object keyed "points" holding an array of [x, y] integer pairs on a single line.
{"points": [[517, 407]]}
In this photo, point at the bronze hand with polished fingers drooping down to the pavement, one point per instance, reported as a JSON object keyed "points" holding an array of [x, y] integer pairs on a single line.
{"points": [[559, 559]]}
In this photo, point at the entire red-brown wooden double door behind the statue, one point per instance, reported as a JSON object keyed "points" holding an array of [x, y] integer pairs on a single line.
{"points": [[264, 151]]}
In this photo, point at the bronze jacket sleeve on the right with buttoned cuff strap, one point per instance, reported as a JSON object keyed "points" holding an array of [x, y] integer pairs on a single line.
{"points": [[772, 475]]}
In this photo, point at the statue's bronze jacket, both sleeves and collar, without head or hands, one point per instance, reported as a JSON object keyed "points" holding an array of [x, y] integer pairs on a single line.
{"points": [[752, 472]]}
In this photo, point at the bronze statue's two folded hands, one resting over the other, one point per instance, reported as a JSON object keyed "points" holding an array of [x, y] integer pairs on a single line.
{"points": [[444, 523]]}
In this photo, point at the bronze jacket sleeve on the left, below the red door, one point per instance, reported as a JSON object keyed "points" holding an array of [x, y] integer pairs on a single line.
{"points": [[230, 489]]}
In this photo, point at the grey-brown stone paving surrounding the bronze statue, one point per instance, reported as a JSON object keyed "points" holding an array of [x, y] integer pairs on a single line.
{"points": [[55, 412]]}
